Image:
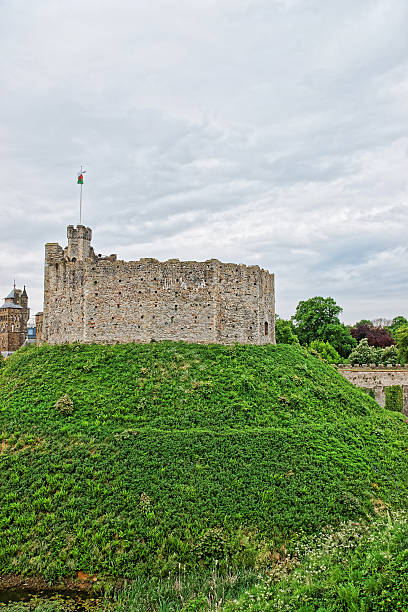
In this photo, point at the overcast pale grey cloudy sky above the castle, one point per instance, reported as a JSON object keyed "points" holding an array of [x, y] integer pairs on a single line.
{"points": [[268, 132]]}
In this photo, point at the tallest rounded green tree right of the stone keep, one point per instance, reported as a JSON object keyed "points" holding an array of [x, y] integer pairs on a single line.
{"points": [[317, 319]]}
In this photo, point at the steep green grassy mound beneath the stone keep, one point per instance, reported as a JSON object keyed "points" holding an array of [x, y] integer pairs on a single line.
{"points": [[130, 459]]}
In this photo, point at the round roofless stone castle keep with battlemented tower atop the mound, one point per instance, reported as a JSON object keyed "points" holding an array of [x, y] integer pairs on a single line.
{"points": [[89, 298]]}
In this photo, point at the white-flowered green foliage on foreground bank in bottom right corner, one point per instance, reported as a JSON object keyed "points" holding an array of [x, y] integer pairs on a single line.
{"points": [[359, 568]]}
